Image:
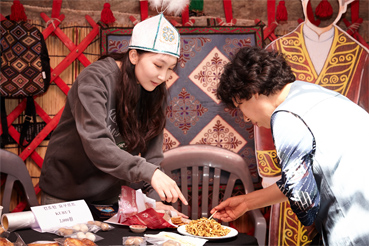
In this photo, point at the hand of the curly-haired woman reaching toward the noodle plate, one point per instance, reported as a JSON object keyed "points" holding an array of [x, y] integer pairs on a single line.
{"points": [[230, 209]]}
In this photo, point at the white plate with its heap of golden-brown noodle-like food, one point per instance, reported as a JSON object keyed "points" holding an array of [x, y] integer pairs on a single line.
{"points": [[207, 229]]}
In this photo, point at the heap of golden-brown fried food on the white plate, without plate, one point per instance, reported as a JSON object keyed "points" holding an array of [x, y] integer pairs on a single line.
{"points": [[206, 228]]}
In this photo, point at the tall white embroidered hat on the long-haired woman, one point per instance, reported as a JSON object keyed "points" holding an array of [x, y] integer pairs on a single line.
{"points": [[156, 34]]}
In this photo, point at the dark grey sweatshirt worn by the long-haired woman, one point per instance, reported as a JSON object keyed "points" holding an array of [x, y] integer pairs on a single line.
{"points": [[83, 159]]}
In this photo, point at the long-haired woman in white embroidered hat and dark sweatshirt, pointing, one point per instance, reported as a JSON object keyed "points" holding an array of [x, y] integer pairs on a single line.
{"points": [[111, 131]]}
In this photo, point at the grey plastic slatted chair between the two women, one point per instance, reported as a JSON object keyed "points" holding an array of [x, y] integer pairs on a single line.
{"points": [[212, 161]]}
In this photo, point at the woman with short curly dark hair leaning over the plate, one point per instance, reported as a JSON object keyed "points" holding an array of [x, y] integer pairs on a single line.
{"points": [[324, 174]]}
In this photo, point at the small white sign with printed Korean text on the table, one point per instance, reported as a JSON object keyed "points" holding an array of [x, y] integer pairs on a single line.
{"points": [[65, 214]]}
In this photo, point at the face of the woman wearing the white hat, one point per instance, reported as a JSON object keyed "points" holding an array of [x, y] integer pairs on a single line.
{"points": [[152, 69]]}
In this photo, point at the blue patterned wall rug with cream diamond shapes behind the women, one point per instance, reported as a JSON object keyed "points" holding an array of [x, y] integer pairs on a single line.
{"points": [[194, 114]]}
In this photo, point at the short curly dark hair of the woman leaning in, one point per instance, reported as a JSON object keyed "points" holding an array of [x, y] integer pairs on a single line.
{"points": [[253, 70]]}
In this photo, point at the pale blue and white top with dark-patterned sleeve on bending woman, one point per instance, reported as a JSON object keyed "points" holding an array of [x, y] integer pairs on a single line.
{"points": [[321, 138]]}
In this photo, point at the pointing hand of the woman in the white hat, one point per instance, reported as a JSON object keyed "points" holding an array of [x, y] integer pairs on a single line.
{"points": [[166, 188]]}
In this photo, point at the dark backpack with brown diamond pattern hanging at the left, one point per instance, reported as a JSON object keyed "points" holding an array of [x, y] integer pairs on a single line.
{"points": [[21, 65]]}
